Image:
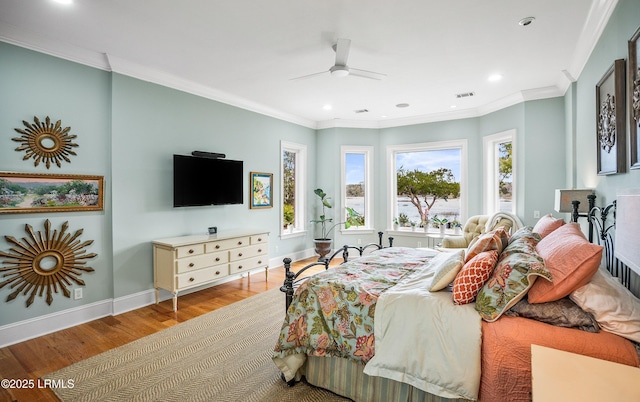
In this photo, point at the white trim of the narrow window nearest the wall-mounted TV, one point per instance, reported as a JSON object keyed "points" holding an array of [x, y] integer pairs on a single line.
{"points": [[300, 150]]}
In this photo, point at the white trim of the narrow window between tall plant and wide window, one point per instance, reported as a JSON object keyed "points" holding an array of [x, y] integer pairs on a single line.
{"points": [[368, 177]]}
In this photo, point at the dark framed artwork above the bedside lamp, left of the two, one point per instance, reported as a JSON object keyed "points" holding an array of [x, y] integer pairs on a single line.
{"points": [[610, 120]]}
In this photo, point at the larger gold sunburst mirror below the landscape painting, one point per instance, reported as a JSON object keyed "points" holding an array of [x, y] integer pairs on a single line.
{"points": [[45, 261]]}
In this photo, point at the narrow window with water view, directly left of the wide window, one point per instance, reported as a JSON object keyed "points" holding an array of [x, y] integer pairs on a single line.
{"points": [[357, 187]]}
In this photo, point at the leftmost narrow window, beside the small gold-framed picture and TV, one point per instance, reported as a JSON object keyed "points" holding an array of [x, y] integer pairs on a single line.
{"points": [[294, 160]]}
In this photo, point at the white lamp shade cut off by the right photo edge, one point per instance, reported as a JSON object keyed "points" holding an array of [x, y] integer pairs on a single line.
{"points": [[628, 228]]}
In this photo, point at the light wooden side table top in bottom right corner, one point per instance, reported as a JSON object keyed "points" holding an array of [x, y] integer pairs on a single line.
{"points": [[565, 377]]}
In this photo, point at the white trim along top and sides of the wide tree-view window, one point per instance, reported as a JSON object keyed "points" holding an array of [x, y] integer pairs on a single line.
{"points": [[392, 178]]}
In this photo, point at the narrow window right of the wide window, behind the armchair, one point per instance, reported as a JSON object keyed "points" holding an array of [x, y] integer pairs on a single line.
{"points": [[499, 172]]}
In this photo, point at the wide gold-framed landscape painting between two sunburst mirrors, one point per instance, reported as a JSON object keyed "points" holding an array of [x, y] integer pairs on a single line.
{"points": [[40, 192]]}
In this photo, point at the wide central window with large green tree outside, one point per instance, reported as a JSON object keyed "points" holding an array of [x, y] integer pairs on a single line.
{"points": [[429, 180]]}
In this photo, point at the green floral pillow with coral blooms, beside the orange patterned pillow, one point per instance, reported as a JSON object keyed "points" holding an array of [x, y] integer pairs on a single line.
{"points": [[517, 270]]}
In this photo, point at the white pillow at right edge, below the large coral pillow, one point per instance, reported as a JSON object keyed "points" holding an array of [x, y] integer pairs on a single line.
{"points": [[615, 308]]}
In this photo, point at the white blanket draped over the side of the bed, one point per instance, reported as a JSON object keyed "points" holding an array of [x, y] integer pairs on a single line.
{"points": [[423, 339]]}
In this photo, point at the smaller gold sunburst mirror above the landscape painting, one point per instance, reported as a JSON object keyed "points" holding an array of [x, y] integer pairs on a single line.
{"points": [[45, 142]]}
